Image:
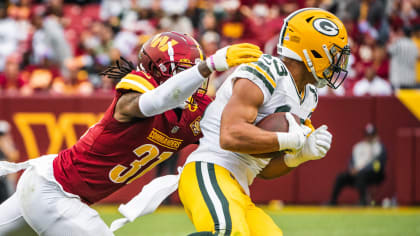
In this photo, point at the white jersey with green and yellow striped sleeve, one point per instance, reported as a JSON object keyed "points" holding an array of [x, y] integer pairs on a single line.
{"points": [[280, 95]]}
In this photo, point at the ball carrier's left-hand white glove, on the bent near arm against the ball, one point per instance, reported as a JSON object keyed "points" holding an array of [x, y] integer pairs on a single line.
{"points": [[293, 140]]}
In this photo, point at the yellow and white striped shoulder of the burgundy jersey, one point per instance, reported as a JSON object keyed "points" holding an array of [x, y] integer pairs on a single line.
{"points": [[138, 81]]}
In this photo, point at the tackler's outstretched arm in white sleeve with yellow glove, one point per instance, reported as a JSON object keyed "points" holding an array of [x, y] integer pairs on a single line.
{"points": [[178, 88]]}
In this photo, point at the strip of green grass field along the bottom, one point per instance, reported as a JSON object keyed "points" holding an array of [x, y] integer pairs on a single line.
{"points": [[294, 221]]}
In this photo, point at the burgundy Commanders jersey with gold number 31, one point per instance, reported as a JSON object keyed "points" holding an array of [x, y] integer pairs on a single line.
{"points": [[112, 154]]}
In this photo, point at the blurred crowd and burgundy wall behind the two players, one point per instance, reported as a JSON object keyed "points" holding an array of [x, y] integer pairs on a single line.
{"points": [[51, 52]]}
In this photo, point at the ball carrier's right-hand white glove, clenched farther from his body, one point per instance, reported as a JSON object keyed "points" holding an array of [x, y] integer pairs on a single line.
{"points": [[316, 147]]}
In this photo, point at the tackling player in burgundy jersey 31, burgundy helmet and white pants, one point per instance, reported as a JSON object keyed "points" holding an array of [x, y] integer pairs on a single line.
{"points": [[145, 124]]}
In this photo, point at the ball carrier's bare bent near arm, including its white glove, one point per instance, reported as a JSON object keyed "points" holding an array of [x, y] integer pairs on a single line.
{"points": [[239, 134]]}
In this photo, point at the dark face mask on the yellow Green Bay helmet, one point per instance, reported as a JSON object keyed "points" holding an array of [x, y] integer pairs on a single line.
{"points": [[337, 72]]}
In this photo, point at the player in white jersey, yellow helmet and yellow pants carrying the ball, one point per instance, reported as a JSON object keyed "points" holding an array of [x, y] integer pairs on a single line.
{"points": [[213, 186]]}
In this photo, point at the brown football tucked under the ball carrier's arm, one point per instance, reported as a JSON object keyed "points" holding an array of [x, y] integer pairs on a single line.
{"points": [[274, 122]]}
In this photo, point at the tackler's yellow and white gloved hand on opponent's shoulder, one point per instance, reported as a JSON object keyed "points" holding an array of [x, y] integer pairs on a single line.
{"points": [[233, 55]]}
